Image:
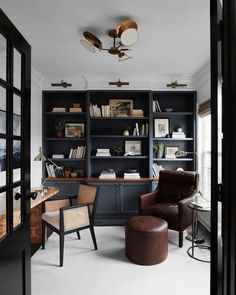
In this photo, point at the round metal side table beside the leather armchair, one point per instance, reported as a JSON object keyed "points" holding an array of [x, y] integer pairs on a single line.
{"points": [[195, 210]]}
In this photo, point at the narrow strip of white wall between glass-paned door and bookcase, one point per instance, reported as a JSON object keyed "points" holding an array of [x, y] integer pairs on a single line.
{"points": [[36, 126]]}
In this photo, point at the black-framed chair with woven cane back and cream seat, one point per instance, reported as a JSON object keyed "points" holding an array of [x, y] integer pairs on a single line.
{"points": [[67, 218]]}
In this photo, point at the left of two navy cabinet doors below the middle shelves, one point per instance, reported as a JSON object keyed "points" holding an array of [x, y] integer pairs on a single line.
{"points": [[108, 198]]}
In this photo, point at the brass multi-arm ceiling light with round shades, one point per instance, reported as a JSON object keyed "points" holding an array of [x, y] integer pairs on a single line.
{"points": [[126, 34]]}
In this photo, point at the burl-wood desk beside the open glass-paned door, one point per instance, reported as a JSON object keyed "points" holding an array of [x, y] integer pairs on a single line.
{"points": [[36, 213]]}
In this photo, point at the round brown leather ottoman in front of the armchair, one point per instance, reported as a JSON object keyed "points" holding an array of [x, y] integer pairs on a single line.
{"points": [[146, 240]]}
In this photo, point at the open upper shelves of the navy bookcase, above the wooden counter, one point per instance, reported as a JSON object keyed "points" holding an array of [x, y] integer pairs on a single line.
{"points": [[106, 131]]}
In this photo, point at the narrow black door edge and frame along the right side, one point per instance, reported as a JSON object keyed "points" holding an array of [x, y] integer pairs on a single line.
{"points": [[223, 194]]}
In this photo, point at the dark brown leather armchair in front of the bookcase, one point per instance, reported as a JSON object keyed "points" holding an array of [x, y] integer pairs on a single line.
{"points": [[170, 201]]}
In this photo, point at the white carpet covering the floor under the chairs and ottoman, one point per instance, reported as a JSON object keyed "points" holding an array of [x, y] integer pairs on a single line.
{"points": [[108, 271]]}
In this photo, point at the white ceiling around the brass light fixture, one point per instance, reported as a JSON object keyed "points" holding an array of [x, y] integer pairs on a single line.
{"points": [[174, 35]]}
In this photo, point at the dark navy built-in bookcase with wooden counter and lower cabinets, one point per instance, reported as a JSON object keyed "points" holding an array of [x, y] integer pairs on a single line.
{"points": [[117, 198]]}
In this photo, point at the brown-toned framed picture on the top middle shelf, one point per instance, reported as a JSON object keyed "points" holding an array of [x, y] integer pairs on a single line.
{"points": [[121, 107]]}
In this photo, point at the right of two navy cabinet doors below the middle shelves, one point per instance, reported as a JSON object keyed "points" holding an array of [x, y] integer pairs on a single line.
{"points": [[129, 195]]}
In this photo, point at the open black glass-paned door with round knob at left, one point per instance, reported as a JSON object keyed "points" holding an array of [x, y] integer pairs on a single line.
{"points": [[15, 75]]}
